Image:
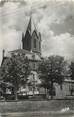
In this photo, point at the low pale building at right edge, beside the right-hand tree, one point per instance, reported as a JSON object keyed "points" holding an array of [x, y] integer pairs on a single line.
{"points": [[67, 90]]}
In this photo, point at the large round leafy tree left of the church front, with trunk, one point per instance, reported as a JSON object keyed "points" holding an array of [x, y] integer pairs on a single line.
{"points": [[16, 70]]}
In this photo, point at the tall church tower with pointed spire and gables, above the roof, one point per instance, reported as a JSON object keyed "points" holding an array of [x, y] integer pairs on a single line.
{"points": [[31, 41]]}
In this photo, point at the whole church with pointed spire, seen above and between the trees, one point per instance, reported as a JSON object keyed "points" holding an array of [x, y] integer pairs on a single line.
{"points": [[31, 48]]}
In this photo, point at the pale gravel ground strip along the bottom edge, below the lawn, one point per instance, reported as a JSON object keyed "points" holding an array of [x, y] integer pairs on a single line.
{"points": [[39, 114]]}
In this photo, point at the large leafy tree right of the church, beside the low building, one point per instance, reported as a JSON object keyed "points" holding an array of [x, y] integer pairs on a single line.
{"points": [[53, 69]]}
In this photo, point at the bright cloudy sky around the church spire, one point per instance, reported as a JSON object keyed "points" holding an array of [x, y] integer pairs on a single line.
{"points": [[53, 18]]}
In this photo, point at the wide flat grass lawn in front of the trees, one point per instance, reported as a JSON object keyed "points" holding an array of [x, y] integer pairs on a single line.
{"points": [[32, 106]]}
